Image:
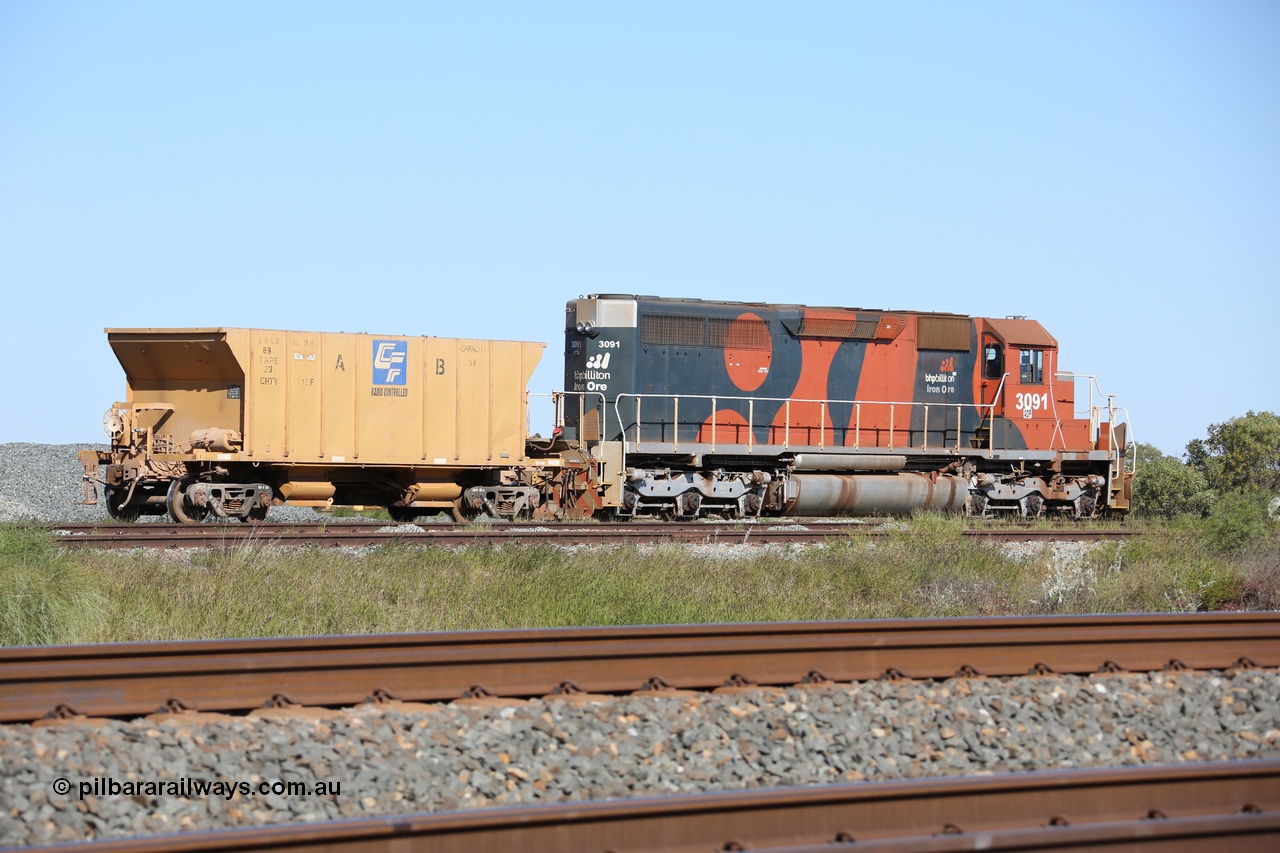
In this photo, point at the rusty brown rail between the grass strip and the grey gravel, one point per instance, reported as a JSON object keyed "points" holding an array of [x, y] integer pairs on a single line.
{"points": [[131, 679]]}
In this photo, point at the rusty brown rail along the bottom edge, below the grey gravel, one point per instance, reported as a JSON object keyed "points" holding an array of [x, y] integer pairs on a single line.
{"points": [[1192, 808]]}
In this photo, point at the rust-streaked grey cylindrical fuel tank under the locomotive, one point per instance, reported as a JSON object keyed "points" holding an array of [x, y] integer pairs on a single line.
{"points": [[872, 494]]}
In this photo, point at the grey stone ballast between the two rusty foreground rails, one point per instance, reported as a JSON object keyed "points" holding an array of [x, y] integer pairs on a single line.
{"points": [[550, 751]]}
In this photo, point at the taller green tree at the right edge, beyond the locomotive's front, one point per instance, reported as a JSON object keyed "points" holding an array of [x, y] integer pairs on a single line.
{"points": [[1240, 454]]}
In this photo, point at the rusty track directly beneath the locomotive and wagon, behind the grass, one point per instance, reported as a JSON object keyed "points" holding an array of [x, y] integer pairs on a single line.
{"points": [[363, 535]]}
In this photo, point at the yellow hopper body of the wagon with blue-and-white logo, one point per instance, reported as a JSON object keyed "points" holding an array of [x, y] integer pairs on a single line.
{"points": [[333, 399]]}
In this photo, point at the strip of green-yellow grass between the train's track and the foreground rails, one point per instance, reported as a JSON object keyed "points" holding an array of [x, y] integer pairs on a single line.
{"points": [[929, 569]]}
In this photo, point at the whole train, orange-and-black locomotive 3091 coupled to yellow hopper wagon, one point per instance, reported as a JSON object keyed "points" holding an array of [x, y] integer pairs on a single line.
{"points": [[673, 409]]}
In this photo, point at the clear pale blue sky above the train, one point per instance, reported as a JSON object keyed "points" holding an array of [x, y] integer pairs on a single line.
{"points": [[1112, 170]]}
